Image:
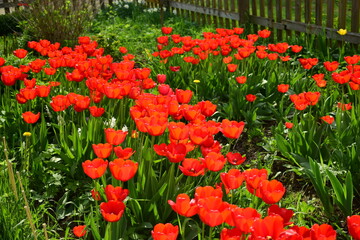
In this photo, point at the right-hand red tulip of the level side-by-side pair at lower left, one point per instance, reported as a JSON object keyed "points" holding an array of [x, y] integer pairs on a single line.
{"points": [[123, 170]]}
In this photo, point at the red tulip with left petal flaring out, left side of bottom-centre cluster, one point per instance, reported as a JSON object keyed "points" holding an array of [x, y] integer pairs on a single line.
{"points": [[184, 206]]}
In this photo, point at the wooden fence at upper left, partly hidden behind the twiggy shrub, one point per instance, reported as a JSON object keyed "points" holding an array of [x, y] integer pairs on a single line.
{"points": [[8, 6]]}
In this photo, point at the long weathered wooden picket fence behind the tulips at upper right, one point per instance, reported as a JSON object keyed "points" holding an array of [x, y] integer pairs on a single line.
{"points": [[284, 16]]}
